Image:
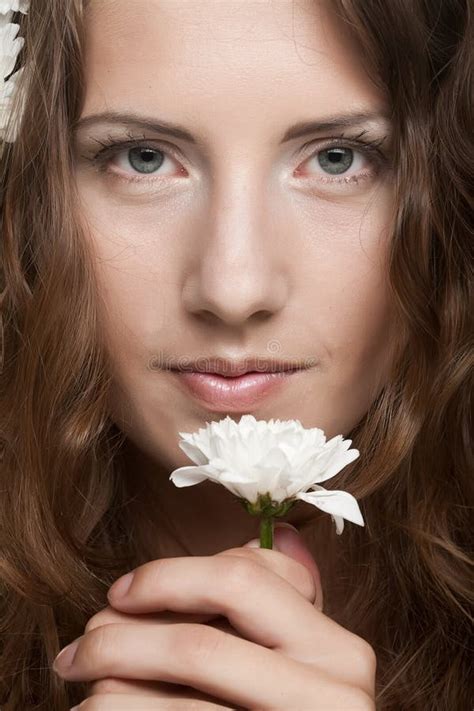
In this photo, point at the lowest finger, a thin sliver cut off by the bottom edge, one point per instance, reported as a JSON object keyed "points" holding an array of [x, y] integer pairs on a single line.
{"points": [[126, 702]]}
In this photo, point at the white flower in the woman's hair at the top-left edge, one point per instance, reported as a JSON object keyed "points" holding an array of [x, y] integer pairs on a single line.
{"points": [[10, 46]]}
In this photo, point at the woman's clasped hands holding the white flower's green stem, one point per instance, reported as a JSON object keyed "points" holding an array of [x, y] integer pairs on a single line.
{"points": [[301, 660]]}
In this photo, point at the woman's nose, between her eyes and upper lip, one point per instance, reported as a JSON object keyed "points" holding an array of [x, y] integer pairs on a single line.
{"points": [[236, 271]]}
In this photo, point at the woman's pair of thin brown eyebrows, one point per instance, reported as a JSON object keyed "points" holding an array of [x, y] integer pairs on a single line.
{"points": [[302, 128]]}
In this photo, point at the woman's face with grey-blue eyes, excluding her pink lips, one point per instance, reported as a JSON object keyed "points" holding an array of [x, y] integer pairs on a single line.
{"points": [[233, 242]]}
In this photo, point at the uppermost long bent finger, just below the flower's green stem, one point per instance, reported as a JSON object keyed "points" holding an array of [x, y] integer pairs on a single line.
{"points": [[252, 597]]}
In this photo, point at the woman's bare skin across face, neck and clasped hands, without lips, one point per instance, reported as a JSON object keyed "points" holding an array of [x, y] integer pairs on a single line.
{"points": [[238, 245]]}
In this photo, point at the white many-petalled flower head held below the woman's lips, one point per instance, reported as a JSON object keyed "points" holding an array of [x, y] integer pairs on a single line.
{"points": [[270, 465]]}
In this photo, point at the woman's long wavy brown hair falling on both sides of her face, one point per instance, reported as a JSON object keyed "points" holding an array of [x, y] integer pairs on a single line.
{"points": [[402, 582]]}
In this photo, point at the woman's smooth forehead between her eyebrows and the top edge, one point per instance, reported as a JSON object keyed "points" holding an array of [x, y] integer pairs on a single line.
{"points": [[216, 60]]}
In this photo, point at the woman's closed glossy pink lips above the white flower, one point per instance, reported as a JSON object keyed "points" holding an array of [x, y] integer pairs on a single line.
{"points": [[228, 394]]}
